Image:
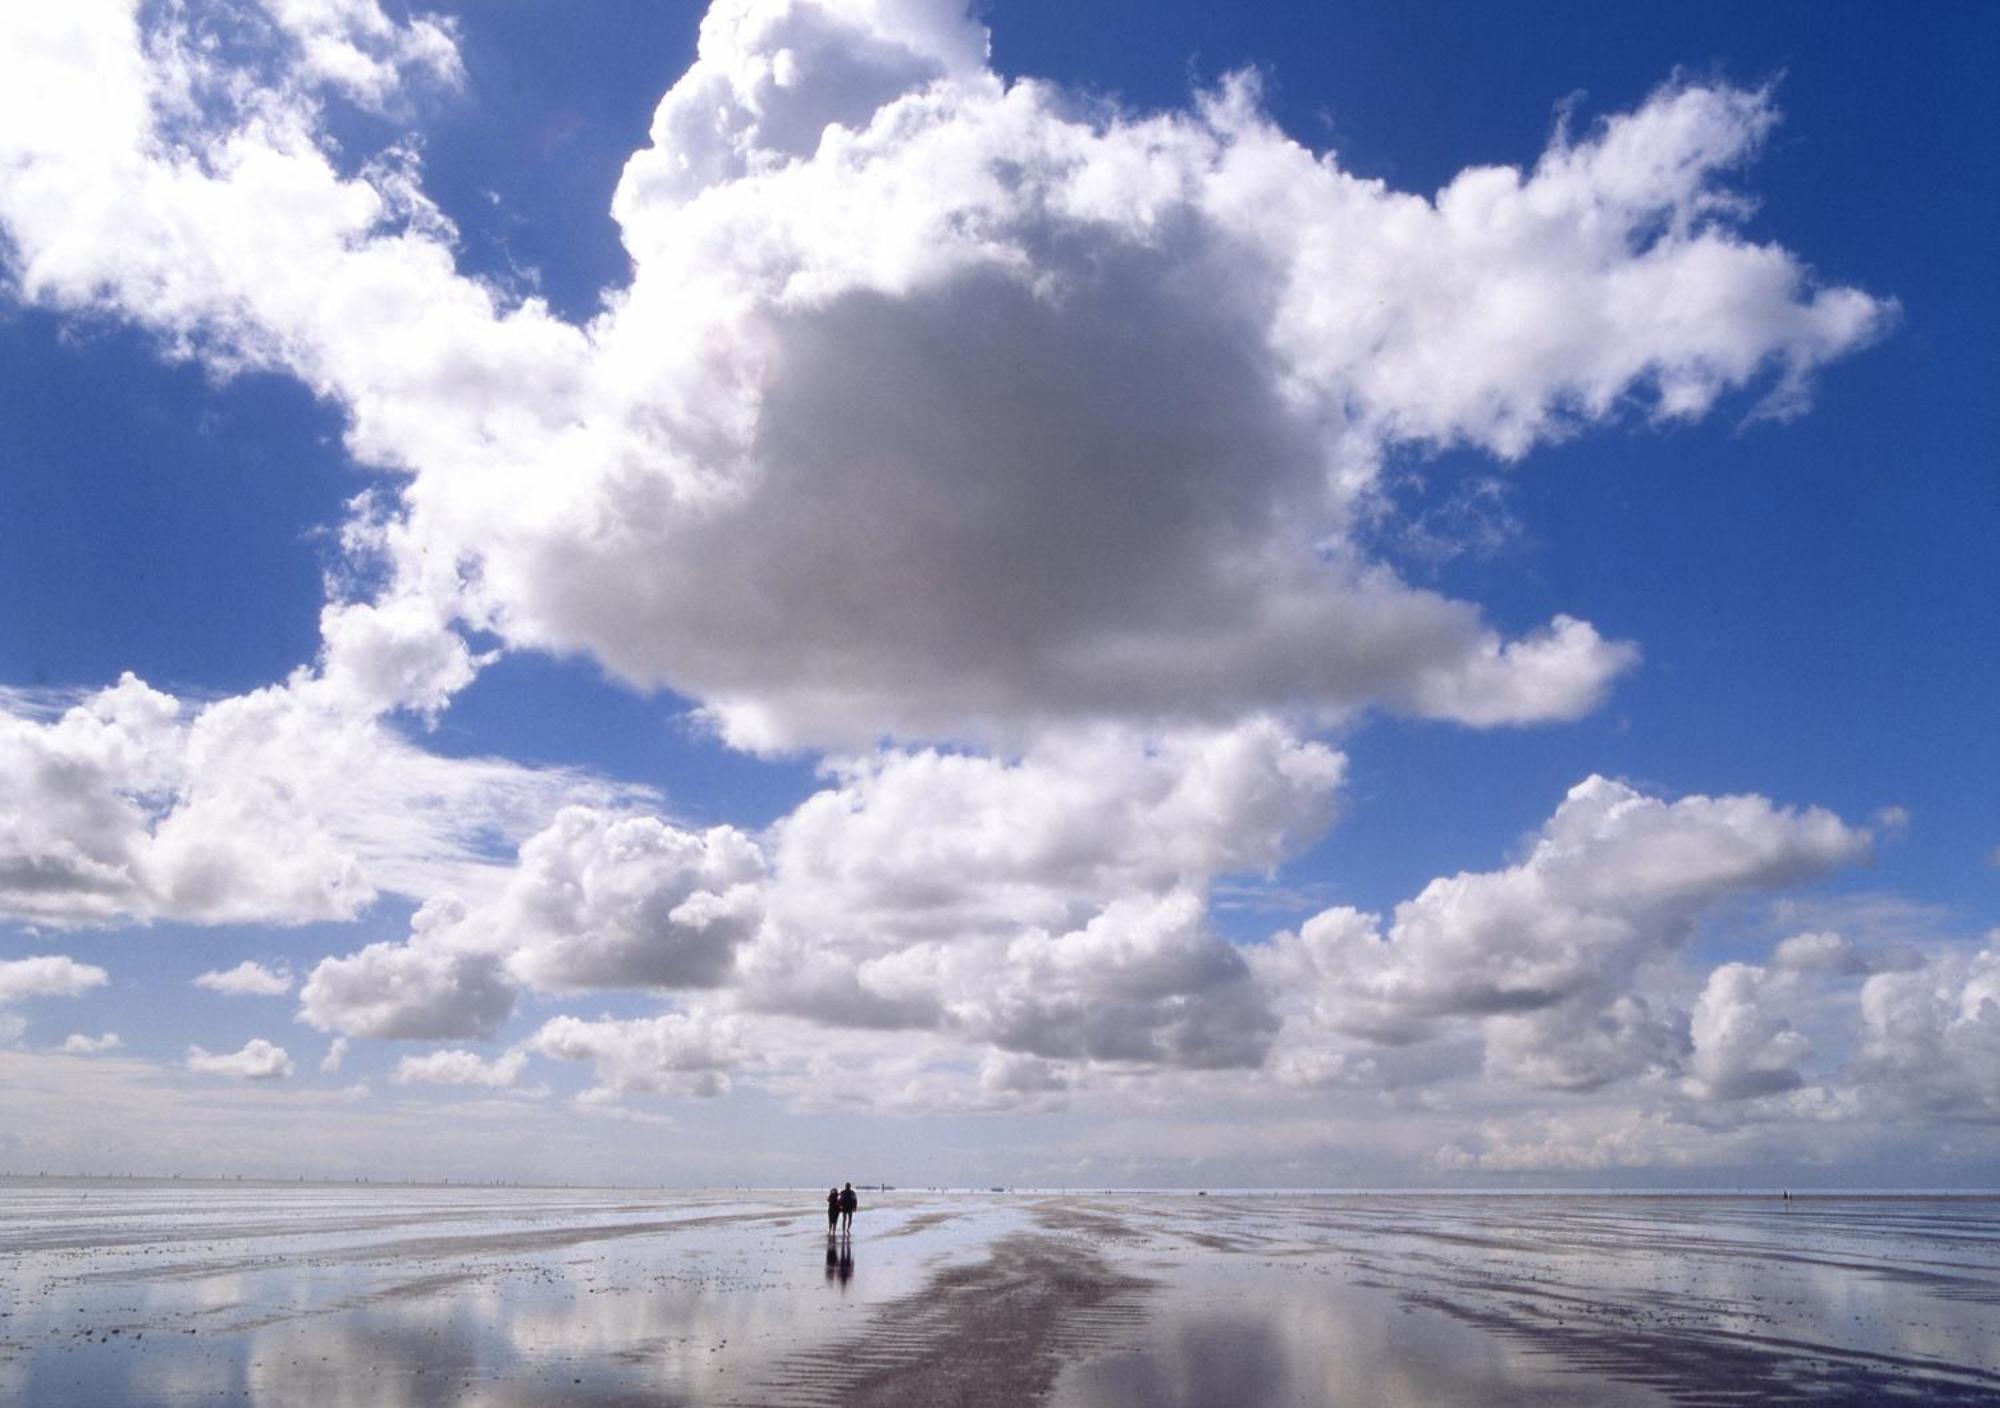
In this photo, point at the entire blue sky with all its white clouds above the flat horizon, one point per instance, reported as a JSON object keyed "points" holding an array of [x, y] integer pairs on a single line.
{"points": [[1147, 583]]}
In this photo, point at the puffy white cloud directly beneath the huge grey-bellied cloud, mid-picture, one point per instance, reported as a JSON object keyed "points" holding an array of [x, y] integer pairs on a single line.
{"points": [[1053, 905]]}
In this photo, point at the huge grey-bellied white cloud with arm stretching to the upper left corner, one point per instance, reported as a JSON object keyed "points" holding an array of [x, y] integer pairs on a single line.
{"points": [[1141, 371]]}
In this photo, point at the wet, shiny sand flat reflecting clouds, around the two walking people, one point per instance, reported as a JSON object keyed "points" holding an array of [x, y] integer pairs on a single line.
{"points": [[173, 1293]]}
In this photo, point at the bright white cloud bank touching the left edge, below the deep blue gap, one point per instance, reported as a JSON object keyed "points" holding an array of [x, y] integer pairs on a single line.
{"points": [[287, 805]]}
